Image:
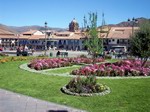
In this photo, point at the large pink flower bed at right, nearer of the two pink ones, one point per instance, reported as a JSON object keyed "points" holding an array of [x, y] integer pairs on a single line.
{"points": [[121, 68]]}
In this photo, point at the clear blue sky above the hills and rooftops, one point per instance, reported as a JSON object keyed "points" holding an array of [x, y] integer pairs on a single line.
{"points": [[58, 13]]}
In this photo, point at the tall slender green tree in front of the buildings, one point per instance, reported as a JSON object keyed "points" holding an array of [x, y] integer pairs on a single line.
{"points": [[93, 42]]}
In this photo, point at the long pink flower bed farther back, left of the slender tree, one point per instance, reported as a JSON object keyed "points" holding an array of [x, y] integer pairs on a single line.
{"points": [[41, 64]]}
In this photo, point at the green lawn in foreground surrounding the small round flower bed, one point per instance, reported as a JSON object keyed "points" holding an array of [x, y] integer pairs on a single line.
{"points": [[127, 95]]}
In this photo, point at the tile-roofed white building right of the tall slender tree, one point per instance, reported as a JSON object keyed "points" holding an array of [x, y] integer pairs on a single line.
{"points": [[118, 38]]}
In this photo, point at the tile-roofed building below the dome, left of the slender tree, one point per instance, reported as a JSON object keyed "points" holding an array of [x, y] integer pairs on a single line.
{"points": [[67, 40]]}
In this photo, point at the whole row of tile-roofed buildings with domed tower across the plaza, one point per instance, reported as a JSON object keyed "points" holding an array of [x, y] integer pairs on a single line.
{"points": [[73, 39]]}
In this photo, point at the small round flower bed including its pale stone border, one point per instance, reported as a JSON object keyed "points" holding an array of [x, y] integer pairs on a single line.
{"points": [[85, 87]]}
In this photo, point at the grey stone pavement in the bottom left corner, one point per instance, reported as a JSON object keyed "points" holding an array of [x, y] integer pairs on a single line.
{"points": [[13, 102]]}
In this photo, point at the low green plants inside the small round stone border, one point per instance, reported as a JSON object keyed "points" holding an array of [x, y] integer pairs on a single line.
{"points": [[85, 85]]}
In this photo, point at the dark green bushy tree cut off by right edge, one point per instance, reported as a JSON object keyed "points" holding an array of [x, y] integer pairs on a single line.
{"points": [[140, 42]]}
